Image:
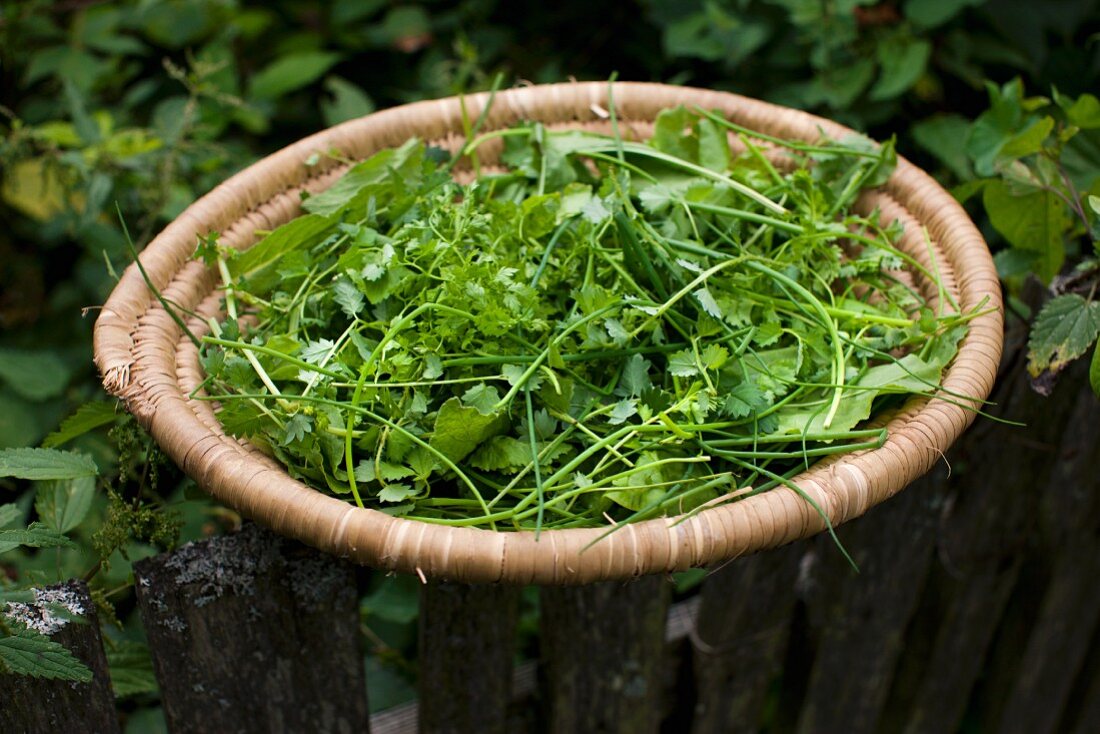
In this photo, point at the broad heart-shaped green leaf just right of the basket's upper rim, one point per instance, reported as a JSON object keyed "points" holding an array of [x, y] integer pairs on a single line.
{"points": [[1037, 223]]}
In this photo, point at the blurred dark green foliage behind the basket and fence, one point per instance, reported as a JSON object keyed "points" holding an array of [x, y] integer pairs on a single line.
{"points": [[146, 105]]}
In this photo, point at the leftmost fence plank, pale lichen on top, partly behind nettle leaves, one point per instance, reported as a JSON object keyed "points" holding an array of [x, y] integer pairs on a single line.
{"points": [[38, 706]]}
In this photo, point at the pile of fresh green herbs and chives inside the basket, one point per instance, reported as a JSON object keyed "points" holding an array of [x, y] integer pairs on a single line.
{"points": [[597, 332]]}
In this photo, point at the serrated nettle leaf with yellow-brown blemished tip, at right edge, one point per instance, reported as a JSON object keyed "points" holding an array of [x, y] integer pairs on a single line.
{"points": [[1064, 331]]}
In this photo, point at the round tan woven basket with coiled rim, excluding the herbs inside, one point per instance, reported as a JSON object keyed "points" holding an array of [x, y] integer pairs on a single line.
{"points": [[147, 360]]}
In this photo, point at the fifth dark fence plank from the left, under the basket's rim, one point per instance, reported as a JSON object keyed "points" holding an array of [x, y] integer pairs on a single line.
{"points": [[741, 638]]}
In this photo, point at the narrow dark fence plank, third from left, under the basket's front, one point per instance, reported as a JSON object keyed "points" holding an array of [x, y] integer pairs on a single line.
{"points": [[466, 656]]}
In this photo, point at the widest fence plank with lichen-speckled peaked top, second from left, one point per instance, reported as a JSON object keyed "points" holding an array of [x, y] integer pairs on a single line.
{"points": [[251, 632]]}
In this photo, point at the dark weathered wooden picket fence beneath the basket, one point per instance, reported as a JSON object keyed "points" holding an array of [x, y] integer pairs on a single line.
{"points": [[976, 610]]}
